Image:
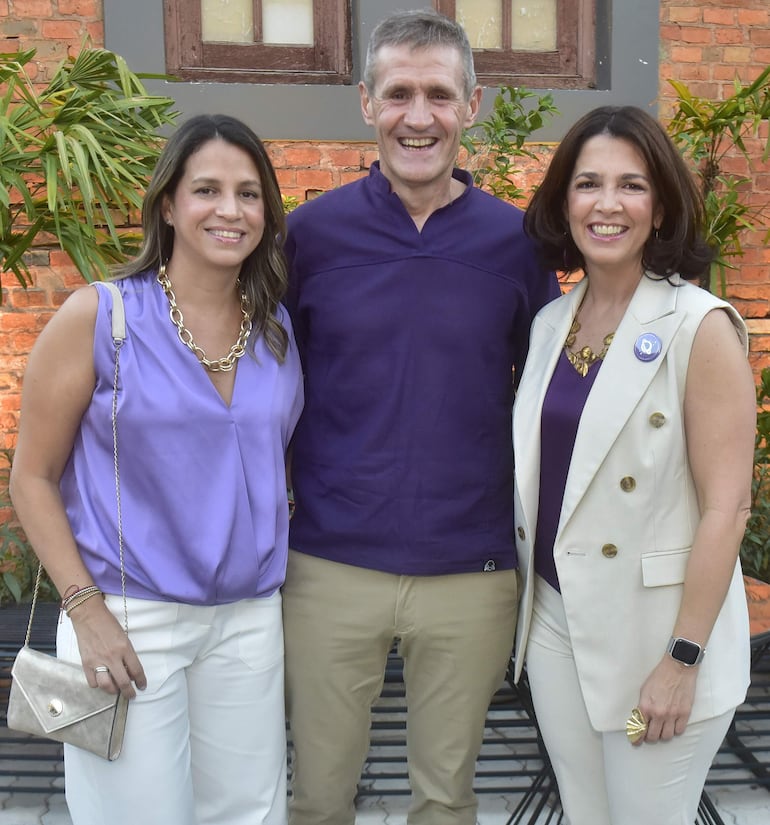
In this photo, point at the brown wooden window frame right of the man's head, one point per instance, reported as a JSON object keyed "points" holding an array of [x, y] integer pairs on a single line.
{"points": [[571, 66]]}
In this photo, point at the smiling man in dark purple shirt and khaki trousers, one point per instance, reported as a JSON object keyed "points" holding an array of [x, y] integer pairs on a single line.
{"points": [[411, 294]]}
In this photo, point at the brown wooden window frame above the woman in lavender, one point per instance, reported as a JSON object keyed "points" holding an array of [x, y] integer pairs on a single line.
{"points": [[328, 61]]}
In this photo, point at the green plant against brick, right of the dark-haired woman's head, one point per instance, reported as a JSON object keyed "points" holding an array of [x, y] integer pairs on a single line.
{"points": [[706, 130]]}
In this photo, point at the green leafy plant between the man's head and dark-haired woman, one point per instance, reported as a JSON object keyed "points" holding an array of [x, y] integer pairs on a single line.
{"points": [[495, 144]]}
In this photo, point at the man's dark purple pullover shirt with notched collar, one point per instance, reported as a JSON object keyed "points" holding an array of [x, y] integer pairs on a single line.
{"points": [[402, 461]]}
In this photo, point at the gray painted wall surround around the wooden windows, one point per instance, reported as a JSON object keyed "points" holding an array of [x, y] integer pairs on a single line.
{"points": [[627, 55]]}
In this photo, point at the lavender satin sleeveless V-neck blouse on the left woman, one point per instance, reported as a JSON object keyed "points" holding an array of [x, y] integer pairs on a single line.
{"points": [[202, 484]]}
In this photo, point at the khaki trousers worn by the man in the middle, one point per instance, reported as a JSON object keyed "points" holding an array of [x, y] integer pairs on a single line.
{"points": [[455, 634]]}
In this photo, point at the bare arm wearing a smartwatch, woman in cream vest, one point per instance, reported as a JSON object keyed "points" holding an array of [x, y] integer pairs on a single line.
{"points": [[720, 422]]}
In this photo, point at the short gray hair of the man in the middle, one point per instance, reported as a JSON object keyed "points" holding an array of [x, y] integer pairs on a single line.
{"points": [[419, 29]]}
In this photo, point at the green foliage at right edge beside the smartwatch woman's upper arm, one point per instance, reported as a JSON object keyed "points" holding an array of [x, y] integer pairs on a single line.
{"points": [[755, 549]]}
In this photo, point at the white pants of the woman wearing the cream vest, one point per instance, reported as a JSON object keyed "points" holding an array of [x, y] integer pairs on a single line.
{"points": [[602, 779]]}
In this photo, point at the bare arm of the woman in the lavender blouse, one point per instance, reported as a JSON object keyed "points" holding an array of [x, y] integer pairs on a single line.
{"points": [[58, 385]]}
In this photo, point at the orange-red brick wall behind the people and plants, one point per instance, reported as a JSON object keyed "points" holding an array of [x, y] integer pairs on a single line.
{"points": [[704, 45]]}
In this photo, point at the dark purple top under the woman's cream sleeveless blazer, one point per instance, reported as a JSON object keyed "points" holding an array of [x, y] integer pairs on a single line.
{"points": [[562, 407]]}
